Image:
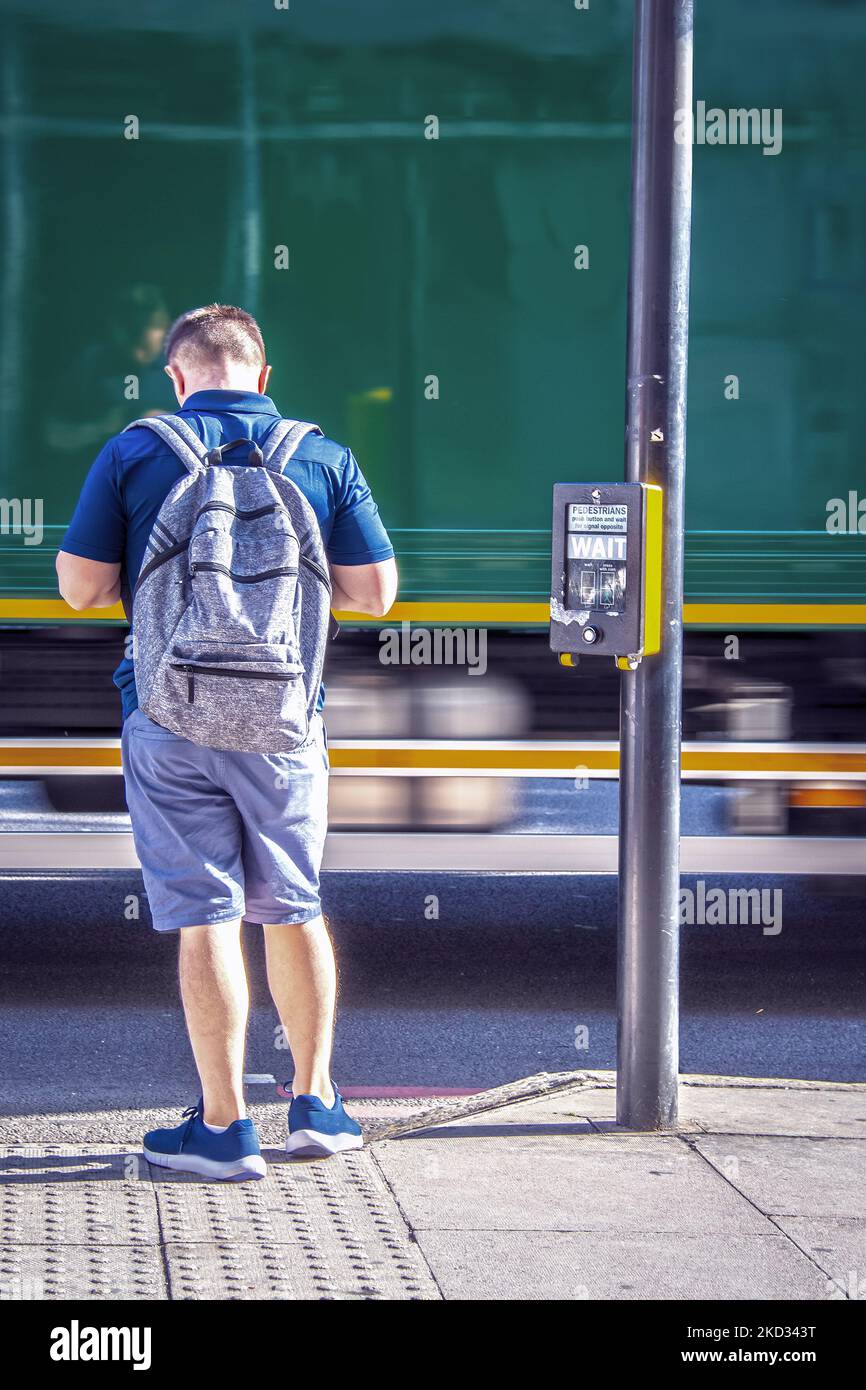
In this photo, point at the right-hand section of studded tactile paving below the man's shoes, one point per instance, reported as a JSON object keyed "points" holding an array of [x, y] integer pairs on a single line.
{"points": [[311, 1231]]}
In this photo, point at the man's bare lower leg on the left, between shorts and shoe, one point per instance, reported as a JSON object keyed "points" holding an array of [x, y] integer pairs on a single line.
{"points": [[216, 1001]]}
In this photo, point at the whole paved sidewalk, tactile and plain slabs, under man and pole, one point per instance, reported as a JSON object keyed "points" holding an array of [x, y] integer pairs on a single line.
{"points": [[528, 1192]]}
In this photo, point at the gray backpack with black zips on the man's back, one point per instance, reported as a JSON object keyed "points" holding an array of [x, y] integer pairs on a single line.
{"points": [[233, 603]]}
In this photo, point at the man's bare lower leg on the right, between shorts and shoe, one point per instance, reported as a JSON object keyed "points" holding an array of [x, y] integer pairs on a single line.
{"points": [[302, 978]]}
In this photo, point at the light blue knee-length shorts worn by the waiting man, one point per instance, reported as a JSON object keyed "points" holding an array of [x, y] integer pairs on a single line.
{"points": [[223, 835]]}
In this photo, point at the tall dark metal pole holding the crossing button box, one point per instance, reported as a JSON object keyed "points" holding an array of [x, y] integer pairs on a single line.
{"points": [[655, 452]]}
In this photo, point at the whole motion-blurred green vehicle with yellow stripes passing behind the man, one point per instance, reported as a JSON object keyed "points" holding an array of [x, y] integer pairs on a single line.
{"points": [[427, 208]]}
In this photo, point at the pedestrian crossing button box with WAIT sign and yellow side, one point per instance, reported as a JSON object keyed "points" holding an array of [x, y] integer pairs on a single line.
{"points": [[607, 571]]}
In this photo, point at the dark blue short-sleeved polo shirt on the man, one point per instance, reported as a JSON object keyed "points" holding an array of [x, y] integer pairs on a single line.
{"points": [[136, 472]]}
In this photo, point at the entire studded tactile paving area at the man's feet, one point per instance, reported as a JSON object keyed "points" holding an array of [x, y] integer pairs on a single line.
{"points": [[90, 1223]]}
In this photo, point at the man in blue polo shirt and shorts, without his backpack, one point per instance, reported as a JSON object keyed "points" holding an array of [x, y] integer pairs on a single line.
{"points": [[229, 835]]}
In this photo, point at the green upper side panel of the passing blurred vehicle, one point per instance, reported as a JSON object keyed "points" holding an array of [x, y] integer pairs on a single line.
{"points": [[427, 208]]}
